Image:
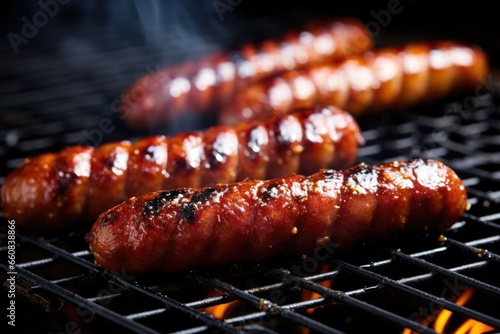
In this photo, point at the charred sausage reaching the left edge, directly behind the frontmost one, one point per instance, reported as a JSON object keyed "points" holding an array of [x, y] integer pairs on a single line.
{"points": [[79, 183]]}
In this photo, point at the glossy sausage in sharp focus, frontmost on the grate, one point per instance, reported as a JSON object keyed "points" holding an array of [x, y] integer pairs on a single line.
{"points": [[187, 228]]}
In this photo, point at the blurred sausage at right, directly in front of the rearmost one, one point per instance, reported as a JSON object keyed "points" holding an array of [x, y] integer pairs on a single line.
{"points": [[391, 78]]}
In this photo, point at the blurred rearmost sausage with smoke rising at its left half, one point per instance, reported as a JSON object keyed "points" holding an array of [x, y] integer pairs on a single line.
{"points": [[158, 98]]}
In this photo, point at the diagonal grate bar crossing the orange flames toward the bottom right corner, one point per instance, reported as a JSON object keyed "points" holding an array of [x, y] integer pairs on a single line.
{"points": [[411, 291]]}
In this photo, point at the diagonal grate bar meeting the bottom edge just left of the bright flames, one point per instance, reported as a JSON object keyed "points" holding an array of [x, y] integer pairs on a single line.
{"points": [[345, 299]]}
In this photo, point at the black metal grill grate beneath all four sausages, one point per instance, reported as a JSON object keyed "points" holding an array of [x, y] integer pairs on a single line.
{"points": [[53, 98]]}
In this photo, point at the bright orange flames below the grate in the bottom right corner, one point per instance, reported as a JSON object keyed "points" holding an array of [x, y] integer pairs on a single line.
{"points": [[469, 326]]}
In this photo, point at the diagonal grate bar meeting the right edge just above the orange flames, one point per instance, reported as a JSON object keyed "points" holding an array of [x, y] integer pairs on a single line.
{"points": [[449, 273]]}
